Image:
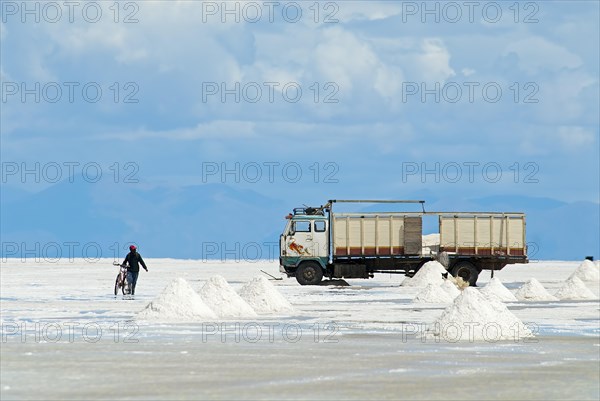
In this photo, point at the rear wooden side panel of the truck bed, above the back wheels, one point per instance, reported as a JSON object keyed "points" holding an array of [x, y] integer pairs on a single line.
{"points": [[483, 234]]}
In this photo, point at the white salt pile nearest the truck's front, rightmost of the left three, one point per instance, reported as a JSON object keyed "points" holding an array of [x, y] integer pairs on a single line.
{"points": [[261, 295]]}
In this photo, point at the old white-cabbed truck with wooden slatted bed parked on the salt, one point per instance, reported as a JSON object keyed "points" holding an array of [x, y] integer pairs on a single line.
{"points": [[319, 242]]}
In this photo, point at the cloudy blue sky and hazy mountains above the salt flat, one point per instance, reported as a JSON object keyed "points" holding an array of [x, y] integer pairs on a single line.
{"points": [[179, 125]]}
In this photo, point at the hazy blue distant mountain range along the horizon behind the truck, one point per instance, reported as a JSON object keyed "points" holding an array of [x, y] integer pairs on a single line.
{"points": [[217, 221]]}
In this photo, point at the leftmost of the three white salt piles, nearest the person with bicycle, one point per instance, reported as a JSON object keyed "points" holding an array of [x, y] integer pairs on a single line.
{"points": [[178, 301]]}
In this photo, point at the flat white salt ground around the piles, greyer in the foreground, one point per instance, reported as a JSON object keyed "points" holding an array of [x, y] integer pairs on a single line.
{"points": [[376, 356]]}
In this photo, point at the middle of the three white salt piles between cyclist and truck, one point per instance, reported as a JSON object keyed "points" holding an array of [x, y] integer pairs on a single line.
{"points": [[223, 300]]}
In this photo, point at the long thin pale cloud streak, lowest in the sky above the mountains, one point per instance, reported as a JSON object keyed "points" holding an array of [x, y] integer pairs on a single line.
{"points": [[324, 137]]}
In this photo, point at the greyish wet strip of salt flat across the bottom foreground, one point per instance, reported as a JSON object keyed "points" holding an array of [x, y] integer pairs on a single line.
{"points": [[362, 366]]}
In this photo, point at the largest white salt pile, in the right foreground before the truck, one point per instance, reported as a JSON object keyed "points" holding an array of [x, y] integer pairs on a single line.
{"points": [[473, 317]]}
